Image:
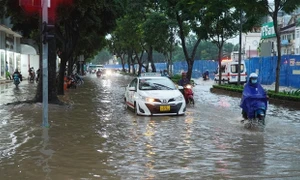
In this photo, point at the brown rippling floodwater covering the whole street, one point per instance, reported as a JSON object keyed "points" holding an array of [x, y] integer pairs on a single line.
{"points": [[95, 137]]}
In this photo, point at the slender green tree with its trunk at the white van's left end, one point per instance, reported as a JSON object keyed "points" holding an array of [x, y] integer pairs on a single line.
{"points": [[224, 19]]}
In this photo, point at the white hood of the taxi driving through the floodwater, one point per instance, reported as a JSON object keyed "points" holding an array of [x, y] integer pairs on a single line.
{"points": [[162, 94]]}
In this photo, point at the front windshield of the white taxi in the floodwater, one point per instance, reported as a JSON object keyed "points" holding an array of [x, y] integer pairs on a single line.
{"points": [[156, 84]]}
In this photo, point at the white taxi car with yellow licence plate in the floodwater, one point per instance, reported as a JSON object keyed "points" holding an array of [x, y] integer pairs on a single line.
{"points": [[152, 95]]}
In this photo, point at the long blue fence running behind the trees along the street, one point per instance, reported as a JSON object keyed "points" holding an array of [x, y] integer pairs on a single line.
{"points": [[265, 67]]}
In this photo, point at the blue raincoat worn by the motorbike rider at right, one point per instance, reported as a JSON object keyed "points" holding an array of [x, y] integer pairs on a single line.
{"points": [[254, 97]]}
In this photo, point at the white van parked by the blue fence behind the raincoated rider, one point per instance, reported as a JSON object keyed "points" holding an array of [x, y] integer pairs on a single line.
{"points": [[229, 71]]}
